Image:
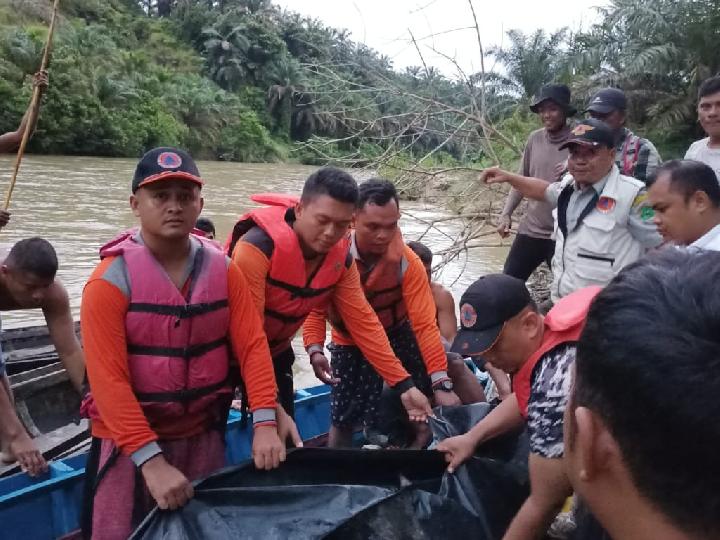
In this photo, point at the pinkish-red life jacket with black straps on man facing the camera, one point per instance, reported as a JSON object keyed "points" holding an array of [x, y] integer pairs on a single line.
{"points": [[178, 354]]}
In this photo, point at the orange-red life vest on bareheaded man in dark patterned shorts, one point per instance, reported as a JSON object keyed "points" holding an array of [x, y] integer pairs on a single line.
{"points": [[382, 285]]}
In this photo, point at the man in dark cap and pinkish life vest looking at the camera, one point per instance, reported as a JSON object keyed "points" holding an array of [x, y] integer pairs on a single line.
{"points": [[160, 315]]}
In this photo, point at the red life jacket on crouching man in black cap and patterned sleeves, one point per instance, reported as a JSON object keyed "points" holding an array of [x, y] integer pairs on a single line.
{"points": [[563, 324]]}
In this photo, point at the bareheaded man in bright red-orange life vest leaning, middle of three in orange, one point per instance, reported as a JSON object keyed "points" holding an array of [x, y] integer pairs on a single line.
{"points": [[296, 258]]}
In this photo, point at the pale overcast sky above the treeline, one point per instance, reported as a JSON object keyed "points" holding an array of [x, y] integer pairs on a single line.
{"points": [[384, 25]]}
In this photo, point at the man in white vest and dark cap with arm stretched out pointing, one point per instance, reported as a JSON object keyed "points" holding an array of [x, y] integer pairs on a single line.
{"points": [[603, 220]]}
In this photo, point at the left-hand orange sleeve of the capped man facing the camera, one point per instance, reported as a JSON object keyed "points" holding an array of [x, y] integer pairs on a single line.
{"points": [[102, 315]]}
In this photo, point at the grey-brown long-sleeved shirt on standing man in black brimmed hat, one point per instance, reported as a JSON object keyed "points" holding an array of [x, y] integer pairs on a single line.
{"points": [[540, 159]]}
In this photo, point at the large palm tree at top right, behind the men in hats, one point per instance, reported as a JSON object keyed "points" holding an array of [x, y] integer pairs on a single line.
{"points": [[657, 52]]}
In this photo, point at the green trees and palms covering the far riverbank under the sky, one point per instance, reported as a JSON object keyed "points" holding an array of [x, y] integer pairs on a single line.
{"points": [[246, 80]]}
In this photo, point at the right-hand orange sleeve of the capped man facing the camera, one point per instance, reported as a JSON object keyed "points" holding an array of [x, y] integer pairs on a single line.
{"points": [[249, 343]]}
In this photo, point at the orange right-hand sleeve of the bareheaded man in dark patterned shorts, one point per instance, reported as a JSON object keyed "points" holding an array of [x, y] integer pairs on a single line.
{"points": [[421, 312]]}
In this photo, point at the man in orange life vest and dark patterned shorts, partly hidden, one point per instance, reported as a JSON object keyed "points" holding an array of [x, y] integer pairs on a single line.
{"points": [[395, 284]]}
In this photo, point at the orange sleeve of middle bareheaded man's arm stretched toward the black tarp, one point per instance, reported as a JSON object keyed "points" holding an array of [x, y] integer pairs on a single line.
{"points": [[365, 328]]}
